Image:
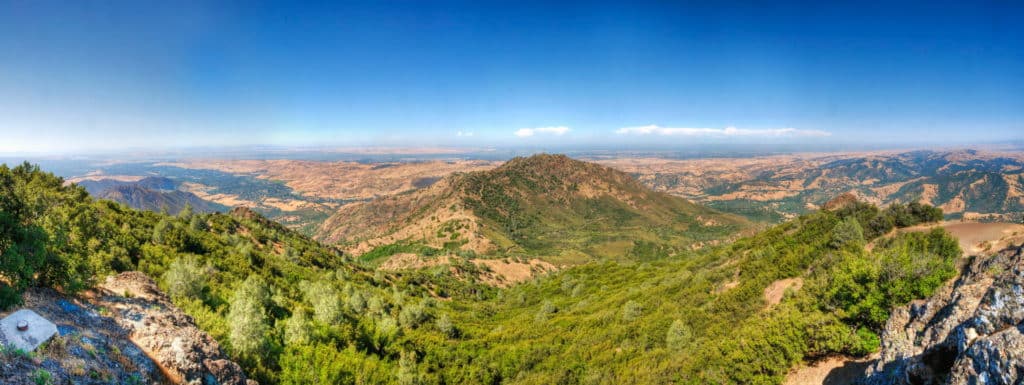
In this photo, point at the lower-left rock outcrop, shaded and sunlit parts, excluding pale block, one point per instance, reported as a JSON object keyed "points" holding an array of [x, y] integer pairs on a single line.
{"points": [[124, 332]]}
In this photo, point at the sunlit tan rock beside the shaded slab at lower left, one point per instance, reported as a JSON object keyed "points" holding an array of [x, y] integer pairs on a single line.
{"points": [[170, 337]]}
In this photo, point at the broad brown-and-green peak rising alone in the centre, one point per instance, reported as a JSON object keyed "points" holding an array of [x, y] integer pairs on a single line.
{"points": [[561, 209]]}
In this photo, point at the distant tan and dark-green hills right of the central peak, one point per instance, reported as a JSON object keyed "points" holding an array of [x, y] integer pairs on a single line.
{"points": [[966, 184]]}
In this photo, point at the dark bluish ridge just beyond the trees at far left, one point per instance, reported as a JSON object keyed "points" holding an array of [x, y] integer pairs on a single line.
{"points": [[154, 194]]}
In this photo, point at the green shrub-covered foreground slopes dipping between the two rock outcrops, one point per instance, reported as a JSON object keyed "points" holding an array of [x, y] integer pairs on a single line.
{"points": [[293, 312]]}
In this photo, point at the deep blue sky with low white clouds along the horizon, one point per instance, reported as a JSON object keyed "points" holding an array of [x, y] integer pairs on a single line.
{"points": [[109, 75]]}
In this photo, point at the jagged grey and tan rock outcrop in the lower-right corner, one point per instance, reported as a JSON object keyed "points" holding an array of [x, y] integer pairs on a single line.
{"points": [[972, 332]]}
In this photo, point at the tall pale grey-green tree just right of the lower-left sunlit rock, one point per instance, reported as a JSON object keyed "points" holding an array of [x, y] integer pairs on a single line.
{"points": [[247, 317]]}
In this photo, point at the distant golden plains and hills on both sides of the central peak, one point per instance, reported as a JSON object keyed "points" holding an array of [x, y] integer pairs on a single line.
{"points": [[969, 185]]}
